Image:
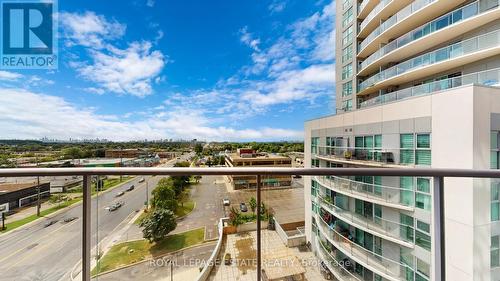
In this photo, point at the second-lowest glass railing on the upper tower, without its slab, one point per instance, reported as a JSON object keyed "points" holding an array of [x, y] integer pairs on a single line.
{"points": [[466, 47]]}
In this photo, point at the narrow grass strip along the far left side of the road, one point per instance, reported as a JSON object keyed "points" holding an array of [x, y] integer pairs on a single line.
{"points": [[108, 185]]}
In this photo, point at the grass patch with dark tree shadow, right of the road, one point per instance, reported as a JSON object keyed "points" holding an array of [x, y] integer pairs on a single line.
{"points": [[127, 253]]}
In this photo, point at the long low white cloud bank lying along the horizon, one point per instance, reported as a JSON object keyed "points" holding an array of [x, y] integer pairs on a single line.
{"points": [[53, 116]]}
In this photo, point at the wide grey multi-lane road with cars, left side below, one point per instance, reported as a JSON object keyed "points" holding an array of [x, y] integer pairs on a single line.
{"points": [[50, 253]]}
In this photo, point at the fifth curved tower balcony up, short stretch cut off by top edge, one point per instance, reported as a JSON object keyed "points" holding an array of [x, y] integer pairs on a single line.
{"points": [[383, 10]]}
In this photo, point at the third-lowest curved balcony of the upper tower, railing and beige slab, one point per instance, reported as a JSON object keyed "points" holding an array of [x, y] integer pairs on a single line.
{"points": [[442, 29]]}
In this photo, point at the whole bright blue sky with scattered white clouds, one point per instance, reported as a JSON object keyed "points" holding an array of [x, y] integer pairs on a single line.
{"points": [[152, 69]]}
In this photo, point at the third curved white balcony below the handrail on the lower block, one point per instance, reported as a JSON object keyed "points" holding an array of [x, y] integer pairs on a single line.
{"points": [[379, 264]]}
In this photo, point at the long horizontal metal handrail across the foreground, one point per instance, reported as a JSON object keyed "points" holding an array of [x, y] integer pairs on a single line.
{"points": [[388, 172]]}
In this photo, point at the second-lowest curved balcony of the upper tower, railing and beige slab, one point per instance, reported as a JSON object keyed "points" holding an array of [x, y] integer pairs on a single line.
{"points": [[449, 57]]}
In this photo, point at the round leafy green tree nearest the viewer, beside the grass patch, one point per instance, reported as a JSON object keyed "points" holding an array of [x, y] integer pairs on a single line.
{"points": [[158, 225]]}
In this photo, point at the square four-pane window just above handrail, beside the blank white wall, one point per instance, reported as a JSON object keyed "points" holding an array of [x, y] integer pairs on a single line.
{"points": [[419, 154]]}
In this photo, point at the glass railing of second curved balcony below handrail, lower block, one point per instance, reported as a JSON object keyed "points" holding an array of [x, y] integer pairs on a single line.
{"points": [[377, 224]]}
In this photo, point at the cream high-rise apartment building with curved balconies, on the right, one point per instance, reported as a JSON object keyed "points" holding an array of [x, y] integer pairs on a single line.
{"points": [[417, 86]]}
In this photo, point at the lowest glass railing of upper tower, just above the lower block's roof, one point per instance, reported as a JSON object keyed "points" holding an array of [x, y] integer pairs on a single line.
{"points": [[486, 78]]}
